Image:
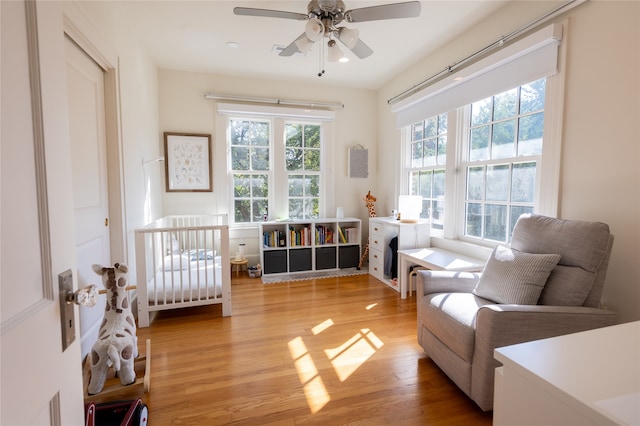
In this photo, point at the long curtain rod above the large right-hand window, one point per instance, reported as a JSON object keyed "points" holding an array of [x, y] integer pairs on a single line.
{"points": [[498, 43]]}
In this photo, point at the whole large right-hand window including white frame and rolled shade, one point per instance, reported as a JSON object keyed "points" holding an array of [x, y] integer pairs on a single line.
{"points": [[492, 116]]}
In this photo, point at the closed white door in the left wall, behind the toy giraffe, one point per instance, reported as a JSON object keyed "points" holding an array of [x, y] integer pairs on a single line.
{"points": [[85, 88]]}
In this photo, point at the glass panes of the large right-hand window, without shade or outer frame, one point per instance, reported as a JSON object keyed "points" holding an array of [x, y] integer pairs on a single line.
{"points": [[501, 141]]}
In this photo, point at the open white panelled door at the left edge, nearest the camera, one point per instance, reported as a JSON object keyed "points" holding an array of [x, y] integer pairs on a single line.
{"points": [[41, 383]]}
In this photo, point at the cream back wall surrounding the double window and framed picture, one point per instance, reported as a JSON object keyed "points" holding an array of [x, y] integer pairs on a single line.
{"points": [[183, 108]]}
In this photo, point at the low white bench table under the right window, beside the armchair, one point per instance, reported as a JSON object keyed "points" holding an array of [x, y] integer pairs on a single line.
{"points": [[435, 259]]}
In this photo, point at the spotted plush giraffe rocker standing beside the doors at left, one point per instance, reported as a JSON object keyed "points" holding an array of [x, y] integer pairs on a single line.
{"points": [[117, 342]]}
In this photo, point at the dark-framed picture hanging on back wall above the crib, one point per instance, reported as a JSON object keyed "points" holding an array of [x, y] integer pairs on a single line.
{"points": [[188, 162]]}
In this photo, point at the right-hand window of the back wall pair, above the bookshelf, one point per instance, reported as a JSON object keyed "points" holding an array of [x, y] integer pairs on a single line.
{"points": [[303, 159]]}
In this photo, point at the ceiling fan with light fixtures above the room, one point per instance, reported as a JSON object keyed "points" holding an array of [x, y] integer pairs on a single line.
{"points": [[323, 18]]}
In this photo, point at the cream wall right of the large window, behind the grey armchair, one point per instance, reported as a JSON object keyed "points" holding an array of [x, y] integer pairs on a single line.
{"points": [[601, 146]]}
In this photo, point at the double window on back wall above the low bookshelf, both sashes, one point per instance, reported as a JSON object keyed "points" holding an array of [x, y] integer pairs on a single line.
{"points": [[275, 166]]}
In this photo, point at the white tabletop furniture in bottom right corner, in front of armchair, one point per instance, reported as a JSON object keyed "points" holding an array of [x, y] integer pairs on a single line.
{"points": [[588, 378]]}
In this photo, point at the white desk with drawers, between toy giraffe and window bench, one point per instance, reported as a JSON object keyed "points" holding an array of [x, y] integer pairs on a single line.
{"points": [[382, 230]]}
